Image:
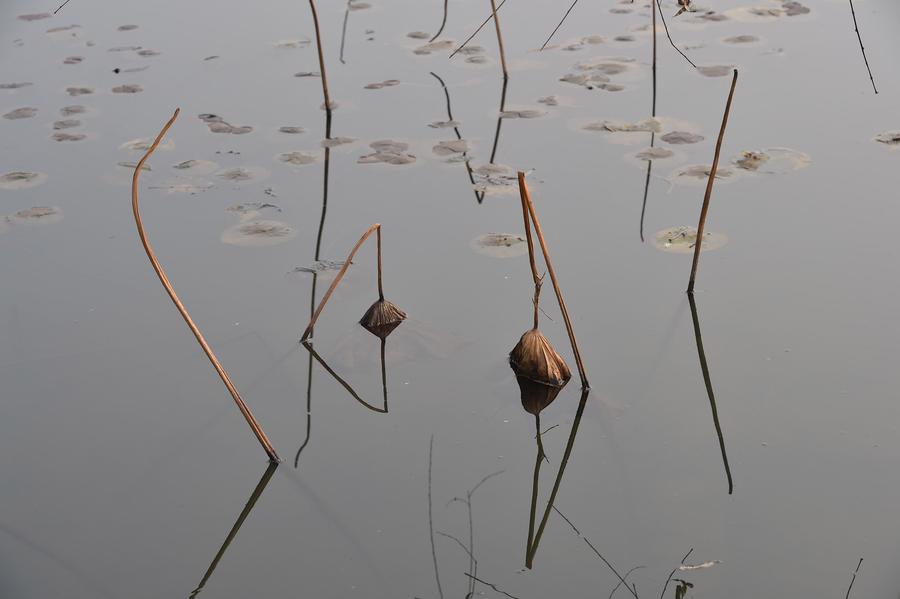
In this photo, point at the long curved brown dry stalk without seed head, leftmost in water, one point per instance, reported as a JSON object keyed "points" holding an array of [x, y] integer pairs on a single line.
{"points": [[248, 416]]}
